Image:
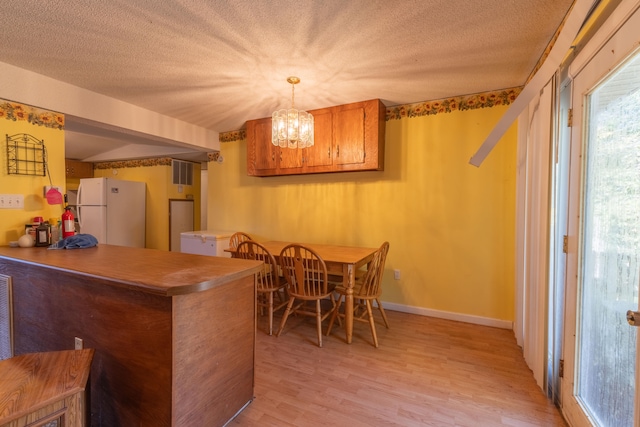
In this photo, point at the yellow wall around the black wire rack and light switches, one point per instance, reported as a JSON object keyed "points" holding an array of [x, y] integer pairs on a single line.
{"points": [[12, 221]]}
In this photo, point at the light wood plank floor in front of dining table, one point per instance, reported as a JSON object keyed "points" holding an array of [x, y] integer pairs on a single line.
{"points": [[427, 372]]}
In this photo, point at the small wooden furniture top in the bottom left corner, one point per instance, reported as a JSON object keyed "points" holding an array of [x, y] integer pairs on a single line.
{"points": [[44, 389]]}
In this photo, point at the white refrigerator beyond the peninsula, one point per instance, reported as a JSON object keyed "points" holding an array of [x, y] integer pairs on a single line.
{"points": [[112, 210]]}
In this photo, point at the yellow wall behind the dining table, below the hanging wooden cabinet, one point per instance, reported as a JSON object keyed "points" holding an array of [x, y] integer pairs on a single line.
{"points": [[450, 225]]}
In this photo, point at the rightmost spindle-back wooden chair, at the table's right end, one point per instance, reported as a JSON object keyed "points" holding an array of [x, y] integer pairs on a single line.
{"points": [[365, 291]]}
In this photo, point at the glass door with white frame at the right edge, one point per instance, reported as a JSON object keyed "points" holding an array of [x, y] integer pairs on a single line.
{"points": [[599, 387]]}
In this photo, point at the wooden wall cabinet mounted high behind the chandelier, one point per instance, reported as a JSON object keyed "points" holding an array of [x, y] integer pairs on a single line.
{"points": [[347, 138]]}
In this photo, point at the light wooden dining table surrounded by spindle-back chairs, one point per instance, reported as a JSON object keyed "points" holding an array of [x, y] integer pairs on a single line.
{"points": [[340, 260]]}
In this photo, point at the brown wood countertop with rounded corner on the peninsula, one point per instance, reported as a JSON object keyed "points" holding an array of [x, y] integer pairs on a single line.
{"points": [[148, 270]]}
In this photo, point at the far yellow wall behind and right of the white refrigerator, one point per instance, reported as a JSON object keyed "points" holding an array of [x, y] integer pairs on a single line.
{"points": [[159, 191]]}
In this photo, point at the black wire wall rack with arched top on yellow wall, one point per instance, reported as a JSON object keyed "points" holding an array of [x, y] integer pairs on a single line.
{"points": [[26, 155]]}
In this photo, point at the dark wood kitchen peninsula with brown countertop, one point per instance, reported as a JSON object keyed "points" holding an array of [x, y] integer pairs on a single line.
{"points": [[173, 333]]}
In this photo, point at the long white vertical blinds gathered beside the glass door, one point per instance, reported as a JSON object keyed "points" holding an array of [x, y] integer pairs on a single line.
{"points": [[532, 235]]}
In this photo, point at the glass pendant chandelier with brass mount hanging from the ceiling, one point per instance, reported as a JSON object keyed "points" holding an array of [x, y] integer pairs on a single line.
{"points": [[292, 128]]}
